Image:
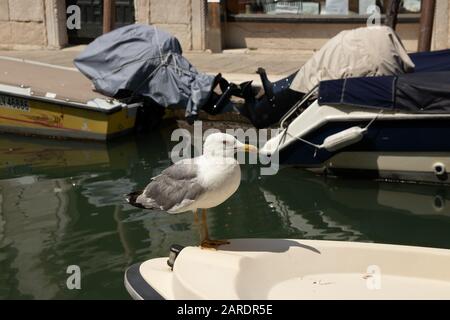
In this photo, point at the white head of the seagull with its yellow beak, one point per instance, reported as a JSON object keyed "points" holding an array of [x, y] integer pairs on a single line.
{"points": [[225, 145]]}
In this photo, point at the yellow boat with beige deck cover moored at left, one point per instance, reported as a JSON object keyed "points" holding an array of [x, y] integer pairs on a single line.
{"points": [[48, 100]]}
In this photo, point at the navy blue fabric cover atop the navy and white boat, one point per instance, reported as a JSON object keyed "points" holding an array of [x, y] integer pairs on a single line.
{"points": [[427, 90]]}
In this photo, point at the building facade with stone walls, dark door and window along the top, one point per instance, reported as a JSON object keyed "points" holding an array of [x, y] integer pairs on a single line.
{"points": [[211, 24]]}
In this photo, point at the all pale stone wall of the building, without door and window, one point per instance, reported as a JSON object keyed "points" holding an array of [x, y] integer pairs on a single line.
{"points": [[30, 24]]}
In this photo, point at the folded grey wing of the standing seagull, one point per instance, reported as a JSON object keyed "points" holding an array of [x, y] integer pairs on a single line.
{"points": [[174, 189]]}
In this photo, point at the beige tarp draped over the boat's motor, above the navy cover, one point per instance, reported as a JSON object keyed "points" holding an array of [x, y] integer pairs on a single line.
{"points": [[362, 52]]}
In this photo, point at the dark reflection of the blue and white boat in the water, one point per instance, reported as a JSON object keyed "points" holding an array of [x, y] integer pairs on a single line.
{"points": [[361, 210]]}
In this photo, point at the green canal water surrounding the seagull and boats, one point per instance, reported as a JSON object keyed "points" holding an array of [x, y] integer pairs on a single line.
{"points": [[62, 204]]}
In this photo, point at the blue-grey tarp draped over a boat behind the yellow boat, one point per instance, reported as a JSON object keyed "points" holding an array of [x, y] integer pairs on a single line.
{"points": [[145, 61]]}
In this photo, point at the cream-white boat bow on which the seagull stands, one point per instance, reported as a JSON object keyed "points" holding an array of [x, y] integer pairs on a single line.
{"points": [[296, 269]]}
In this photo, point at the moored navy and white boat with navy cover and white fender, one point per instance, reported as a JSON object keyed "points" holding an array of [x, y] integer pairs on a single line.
{"points": [[392, 127]]}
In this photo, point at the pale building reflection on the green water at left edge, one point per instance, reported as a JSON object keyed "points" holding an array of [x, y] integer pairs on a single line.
{"points": [[33, 214]]}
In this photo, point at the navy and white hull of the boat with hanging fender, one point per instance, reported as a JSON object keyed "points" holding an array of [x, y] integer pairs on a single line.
{"points": [[395, 145]]}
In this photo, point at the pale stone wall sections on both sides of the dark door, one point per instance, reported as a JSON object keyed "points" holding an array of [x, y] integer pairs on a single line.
{"points": [[33, 24]]}
